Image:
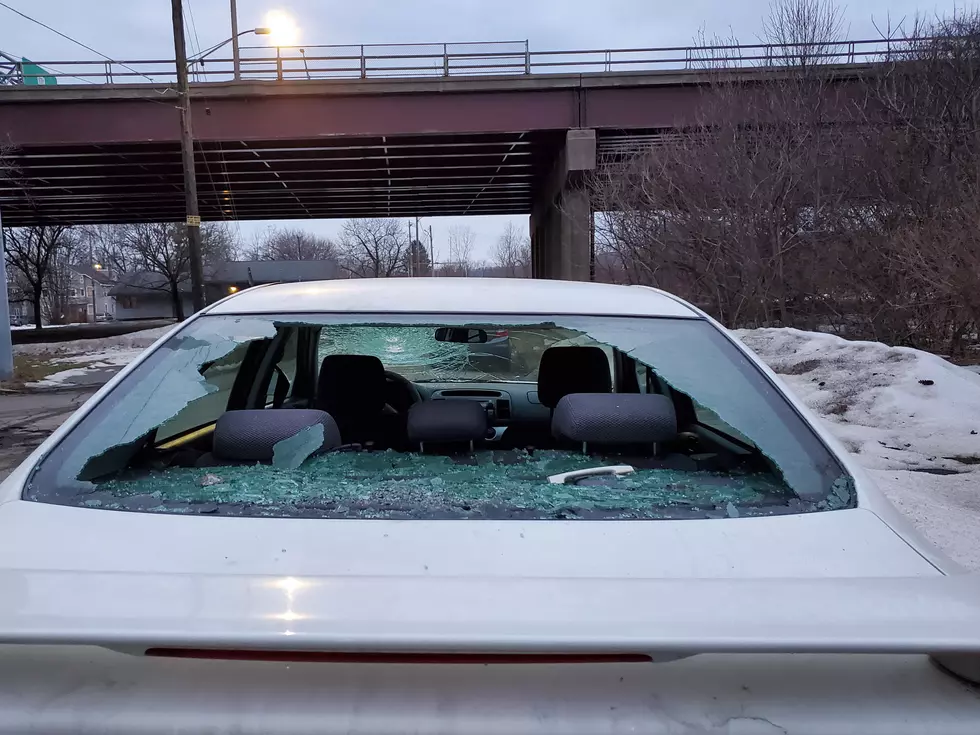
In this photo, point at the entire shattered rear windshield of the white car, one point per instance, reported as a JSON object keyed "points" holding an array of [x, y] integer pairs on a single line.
{"points": [[159, 443]]}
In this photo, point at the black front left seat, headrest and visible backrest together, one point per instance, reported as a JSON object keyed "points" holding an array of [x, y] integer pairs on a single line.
{"points": [[351, 388]]}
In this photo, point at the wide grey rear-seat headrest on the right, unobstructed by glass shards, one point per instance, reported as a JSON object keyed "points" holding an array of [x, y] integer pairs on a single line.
{"points": [[615, 418]]}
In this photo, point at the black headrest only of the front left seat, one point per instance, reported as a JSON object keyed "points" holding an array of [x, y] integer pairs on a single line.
{"points": [[351, 384]]}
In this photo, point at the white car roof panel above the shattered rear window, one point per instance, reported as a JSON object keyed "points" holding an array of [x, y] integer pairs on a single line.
{"points": [[455, 296]]}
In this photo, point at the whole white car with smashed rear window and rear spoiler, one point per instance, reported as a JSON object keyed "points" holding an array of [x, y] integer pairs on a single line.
{"points": [[307, 509]]}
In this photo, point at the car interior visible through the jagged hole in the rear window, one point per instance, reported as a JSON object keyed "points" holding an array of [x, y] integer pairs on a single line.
{"points": [[588, 399]]}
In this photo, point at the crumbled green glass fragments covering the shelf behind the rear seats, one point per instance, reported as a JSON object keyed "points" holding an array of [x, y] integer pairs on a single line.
{"points": [[481, 485]]}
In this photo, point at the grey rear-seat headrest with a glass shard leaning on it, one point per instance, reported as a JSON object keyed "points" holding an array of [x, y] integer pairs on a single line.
{"points": [[251, 436]]}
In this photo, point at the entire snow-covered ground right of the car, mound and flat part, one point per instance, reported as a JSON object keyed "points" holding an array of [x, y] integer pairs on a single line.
{"points": [[906, 415]]}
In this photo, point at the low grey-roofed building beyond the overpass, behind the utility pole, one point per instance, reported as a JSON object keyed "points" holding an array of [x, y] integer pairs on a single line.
{"points": [[147, 295]]}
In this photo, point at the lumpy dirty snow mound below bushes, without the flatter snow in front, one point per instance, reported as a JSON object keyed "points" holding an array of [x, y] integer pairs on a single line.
{"points": [[895, 407]]}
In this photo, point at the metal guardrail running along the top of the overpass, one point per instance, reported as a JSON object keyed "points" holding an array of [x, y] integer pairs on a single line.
{"points": [[498, 58]]}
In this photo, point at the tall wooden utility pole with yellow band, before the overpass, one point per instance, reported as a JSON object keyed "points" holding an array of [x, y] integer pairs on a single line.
{"points": [[187, 159]]}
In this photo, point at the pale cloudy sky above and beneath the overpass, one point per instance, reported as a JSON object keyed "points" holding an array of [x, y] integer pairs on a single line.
{"points": [[141, 29]]}
